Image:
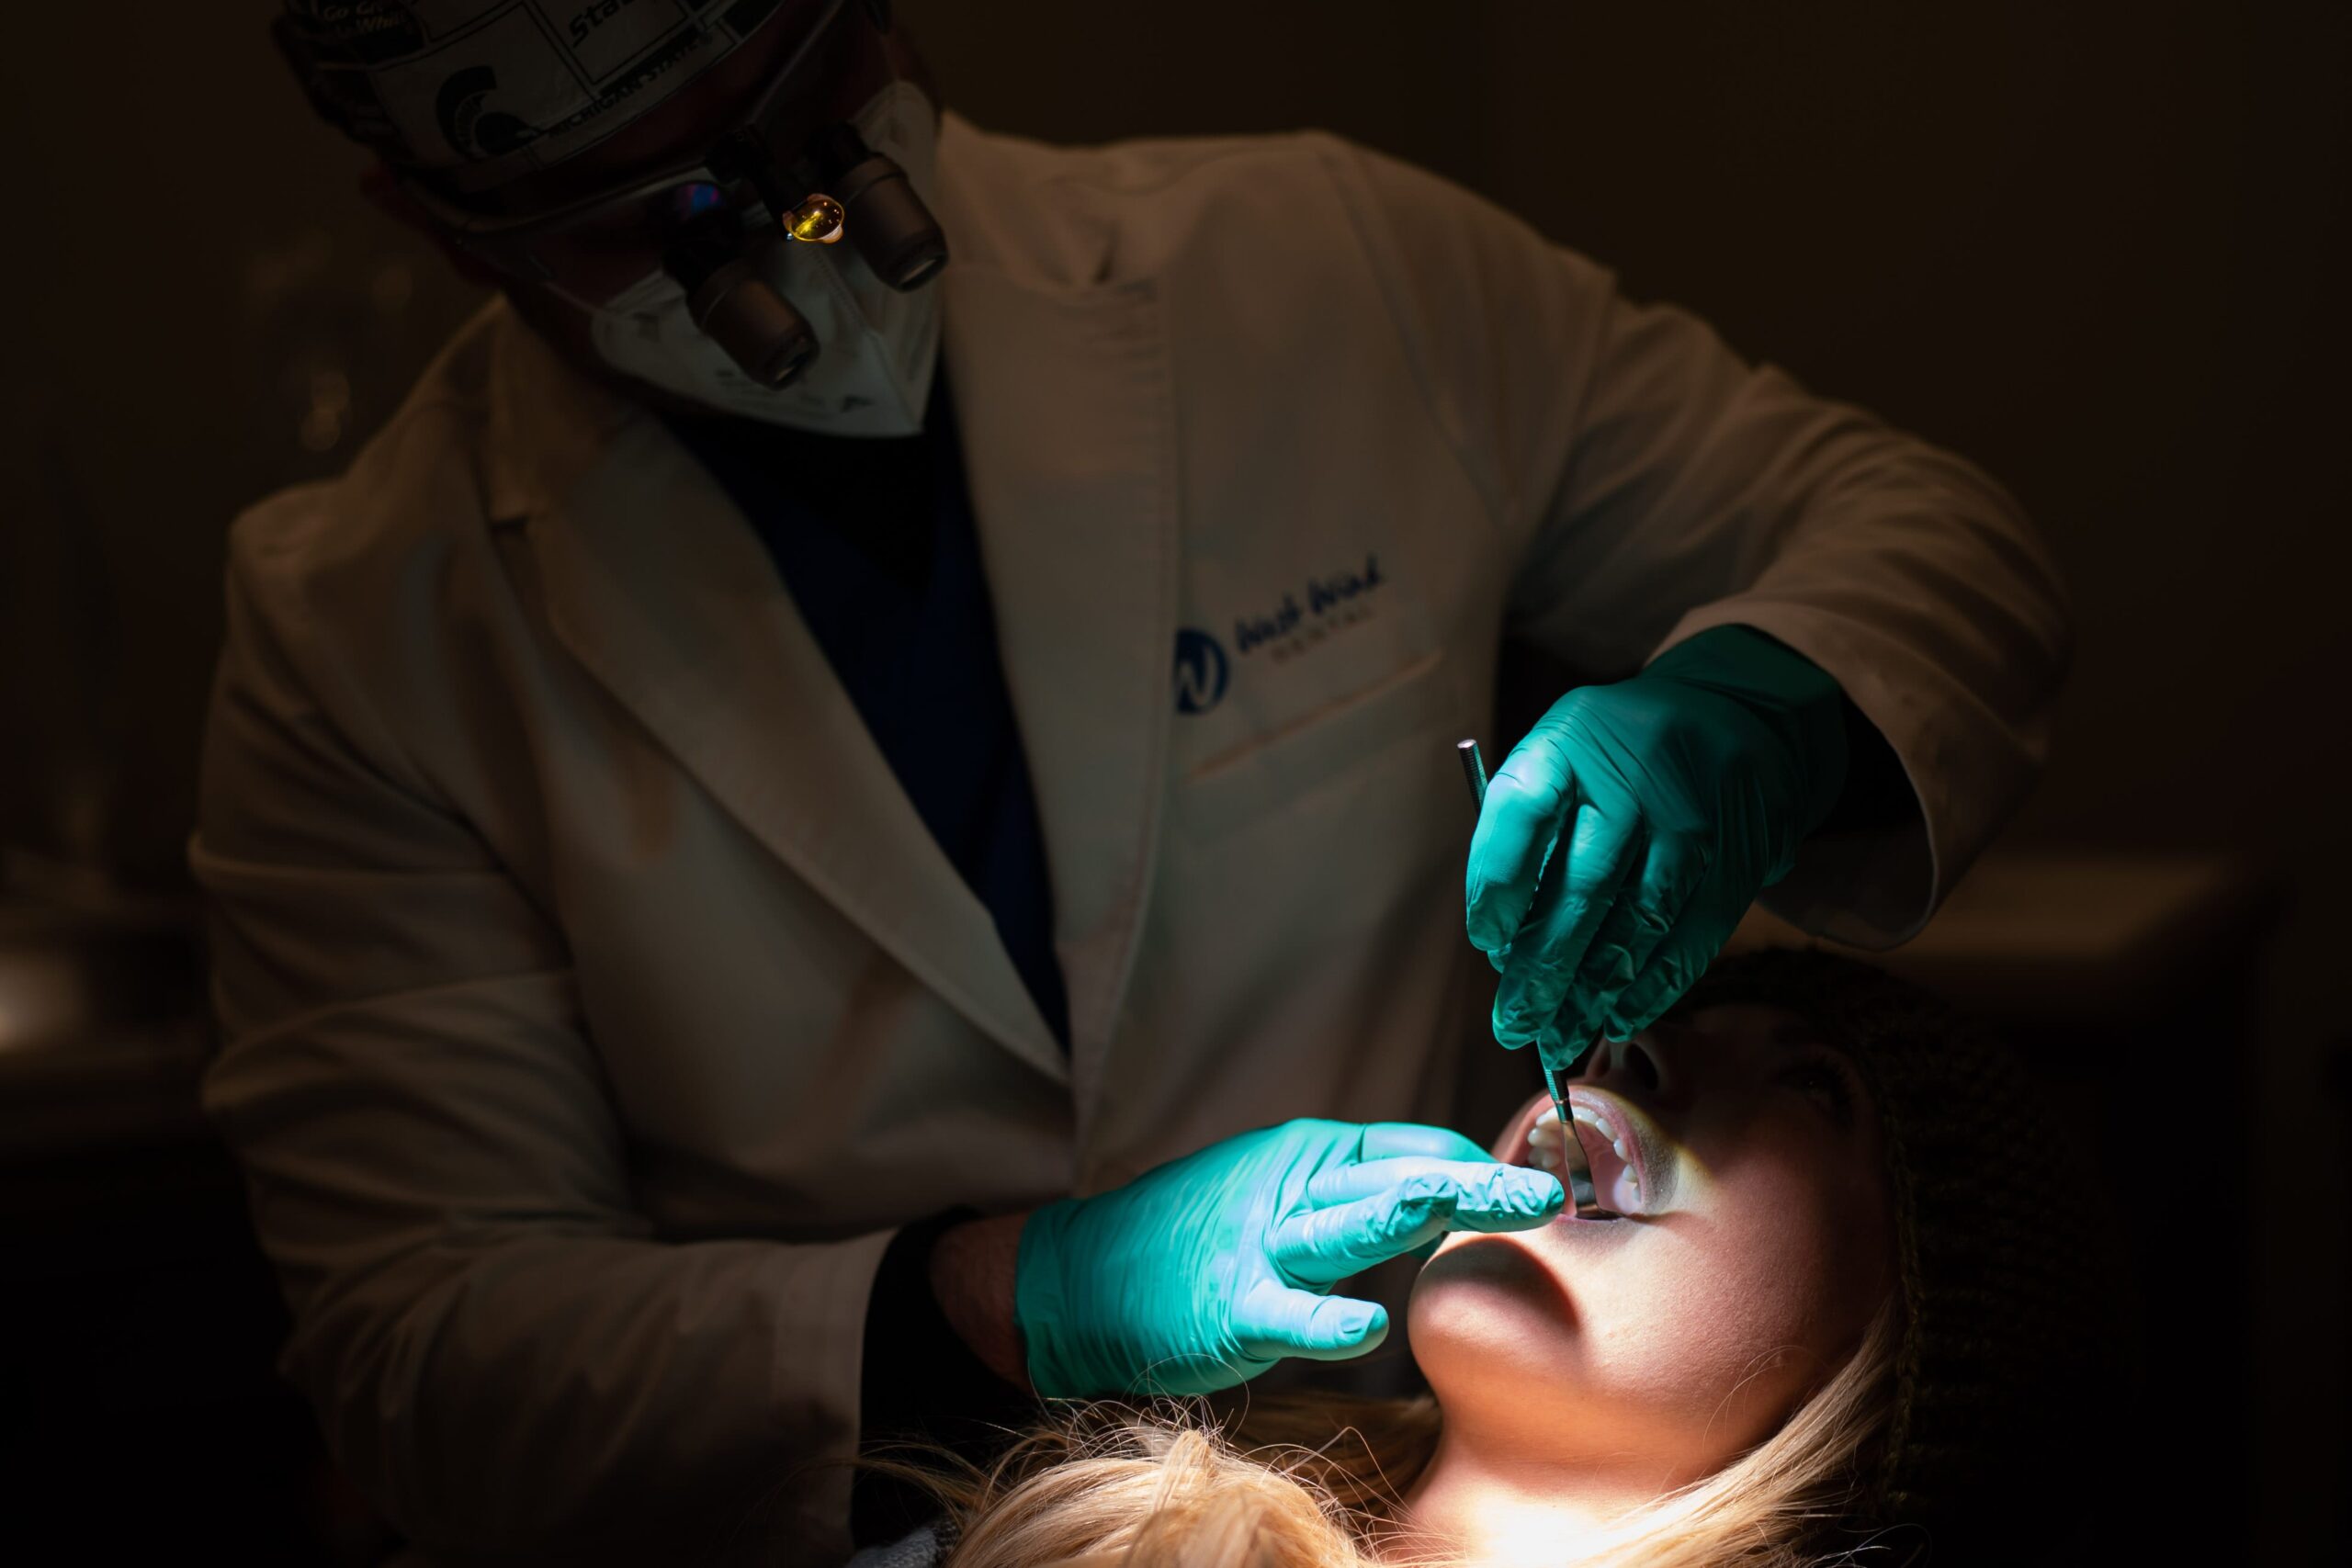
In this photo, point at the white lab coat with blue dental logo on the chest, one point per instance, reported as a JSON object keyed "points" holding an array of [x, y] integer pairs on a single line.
{"points": [[596, 1005]]}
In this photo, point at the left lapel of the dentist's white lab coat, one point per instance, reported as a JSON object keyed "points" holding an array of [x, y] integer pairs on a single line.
{"points": [[660, 587]]}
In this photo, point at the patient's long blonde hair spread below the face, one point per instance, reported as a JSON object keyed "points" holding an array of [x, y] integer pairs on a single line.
{"points": [[1318, 1485]]}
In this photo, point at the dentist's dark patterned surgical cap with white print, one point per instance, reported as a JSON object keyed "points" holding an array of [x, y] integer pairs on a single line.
{"points": [[486, 91]]}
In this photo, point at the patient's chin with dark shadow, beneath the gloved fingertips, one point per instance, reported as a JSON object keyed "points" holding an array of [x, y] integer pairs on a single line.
{"points": [[1488, 1301]]}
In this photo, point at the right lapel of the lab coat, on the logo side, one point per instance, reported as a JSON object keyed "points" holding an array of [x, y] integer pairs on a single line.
{"points": [[1071, 455]]}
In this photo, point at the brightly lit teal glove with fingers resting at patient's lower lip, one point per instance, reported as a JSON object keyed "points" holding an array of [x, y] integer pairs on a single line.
{"points": [[1208, 1271]]}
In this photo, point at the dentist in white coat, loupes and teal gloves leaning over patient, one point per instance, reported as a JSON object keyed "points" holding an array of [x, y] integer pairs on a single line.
{"points": [[850, 812]]}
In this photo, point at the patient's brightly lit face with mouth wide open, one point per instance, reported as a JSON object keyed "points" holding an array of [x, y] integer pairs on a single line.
{"points": [[1753, 1252]]}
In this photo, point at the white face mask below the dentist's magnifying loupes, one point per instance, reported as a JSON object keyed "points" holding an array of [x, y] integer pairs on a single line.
{"points": [[876, 347]]}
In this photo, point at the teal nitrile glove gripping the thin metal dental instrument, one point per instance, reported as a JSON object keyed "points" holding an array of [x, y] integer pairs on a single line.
{"points": [[1673, 800]]}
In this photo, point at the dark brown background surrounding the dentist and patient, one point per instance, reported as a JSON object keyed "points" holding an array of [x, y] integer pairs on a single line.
{"points": [[2097, 246]]}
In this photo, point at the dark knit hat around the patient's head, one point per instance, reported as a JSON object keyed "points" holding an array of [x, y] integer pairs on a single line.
{"points": [[2010, 1351]]}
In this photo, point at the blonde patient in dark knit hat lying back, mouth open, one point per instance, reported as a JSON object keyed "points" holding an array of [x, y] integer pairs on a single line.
{"points": [[1845, 1311]]}
